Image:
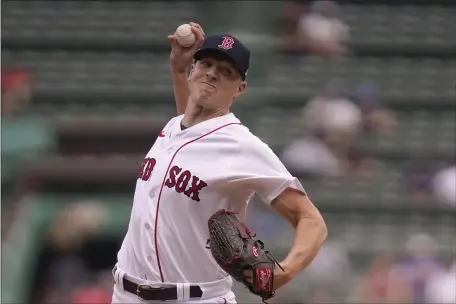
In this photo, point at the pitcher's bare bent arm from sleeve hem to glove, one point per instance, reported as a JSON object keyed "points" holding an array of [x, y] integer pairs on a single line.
{"points": [[310, 233]]}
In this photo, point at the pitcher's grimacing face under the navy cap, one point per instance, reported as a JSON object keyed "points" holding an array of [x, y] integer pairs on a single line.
{"points": [[215, 83]]}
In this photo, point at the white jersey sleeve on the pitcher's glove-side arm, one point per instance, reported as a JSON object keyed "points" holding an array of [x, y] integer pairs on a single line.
{"points": [[256, 168]]}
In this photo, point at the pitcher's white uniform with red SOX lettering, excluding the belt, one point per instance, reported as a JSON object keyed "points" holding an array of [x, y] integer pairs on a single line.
{"points": [[187, 176]]}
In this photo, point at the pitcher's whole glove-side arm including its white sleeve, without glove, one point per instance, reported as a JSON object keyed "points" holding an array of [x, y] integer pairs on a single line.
{"points": [[256, 168]]}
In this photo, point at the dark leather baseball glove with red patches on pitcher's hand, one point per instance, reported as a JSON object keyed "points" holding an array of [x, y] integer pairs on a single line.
{"points": [[235, 249]]}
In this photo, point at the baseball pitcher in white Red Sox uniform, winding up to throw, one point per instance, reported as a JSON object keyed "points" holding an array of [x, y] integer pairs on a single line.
{"points": [[186, 240]]}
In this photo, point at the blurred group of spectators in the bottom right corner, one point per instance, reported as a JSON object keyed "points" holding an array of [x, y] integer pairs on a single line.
{"points": [[421, 276]]}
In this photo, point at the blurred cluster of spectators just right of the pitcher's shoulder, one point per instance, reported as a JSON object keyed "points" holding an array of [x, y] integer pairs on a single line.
{"points": [[333, 123]]}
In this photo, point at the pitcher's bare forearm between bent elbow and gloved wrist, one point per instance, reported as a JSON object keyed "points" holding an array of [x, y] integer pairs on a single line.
{"points": [[310, 233]]}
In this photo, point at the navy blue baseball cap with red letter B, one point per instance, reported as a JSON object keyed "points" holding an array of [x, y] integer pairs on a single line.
{"points": [[228, 46]]}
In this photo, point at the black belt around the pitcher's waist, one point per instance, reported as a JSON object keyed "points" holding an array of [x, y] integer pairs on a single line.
{"points": [[149, 293]]}
